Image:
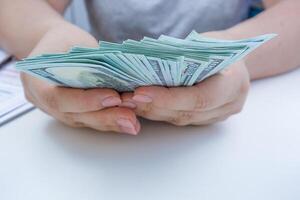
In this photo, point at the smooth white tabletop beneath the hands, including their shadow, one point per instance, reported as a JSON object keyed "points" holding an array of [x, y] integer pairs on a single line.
{"points": [[254, 155]]}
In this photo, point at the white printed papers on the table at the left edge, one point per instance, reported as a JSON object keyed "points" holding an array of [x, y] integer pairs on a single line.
{"points": [[12, 100]]}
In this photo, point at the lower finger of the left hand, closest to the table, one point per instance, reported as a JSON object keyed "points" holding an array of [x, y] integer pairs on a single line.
{"points": [[111, 119]]}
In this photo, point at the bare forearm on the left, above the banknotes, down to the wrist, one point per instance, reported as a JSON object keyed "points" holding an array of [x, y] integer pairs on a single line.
{"points": [[25, 23]]}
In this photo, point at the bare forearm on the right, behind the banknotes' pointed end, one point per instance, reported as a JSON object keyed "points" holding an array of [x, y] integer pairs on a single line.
{"points": [[280, 54]]}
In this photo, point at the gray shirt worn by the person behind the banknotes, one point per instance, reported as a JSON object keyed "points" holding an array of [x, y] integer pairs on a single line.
{"points": [[117, 20]]}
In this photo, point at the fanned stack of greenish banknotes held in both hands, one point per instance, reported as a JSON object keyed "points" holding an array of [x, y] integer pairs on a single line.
{"points": [[166, 61]]}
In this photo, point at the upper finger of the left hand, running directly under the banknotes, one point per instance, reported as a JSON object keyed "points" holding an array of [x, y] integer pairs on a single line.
{"points": [[67, 99]]}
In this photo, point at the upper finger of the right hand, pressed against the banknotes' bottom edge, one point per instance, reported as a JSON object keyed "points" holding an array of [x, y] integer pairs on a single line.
{"points": [[212, 93]]}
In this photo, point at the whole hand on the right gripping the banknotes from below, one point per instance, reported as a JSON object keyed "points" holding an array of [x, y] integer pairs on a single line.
{"points": [[210, 101]]}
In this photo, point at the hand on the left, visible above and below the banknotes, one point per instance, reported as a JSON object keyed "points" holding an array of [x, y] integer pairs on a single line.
{"points": [[94, 108]]}
